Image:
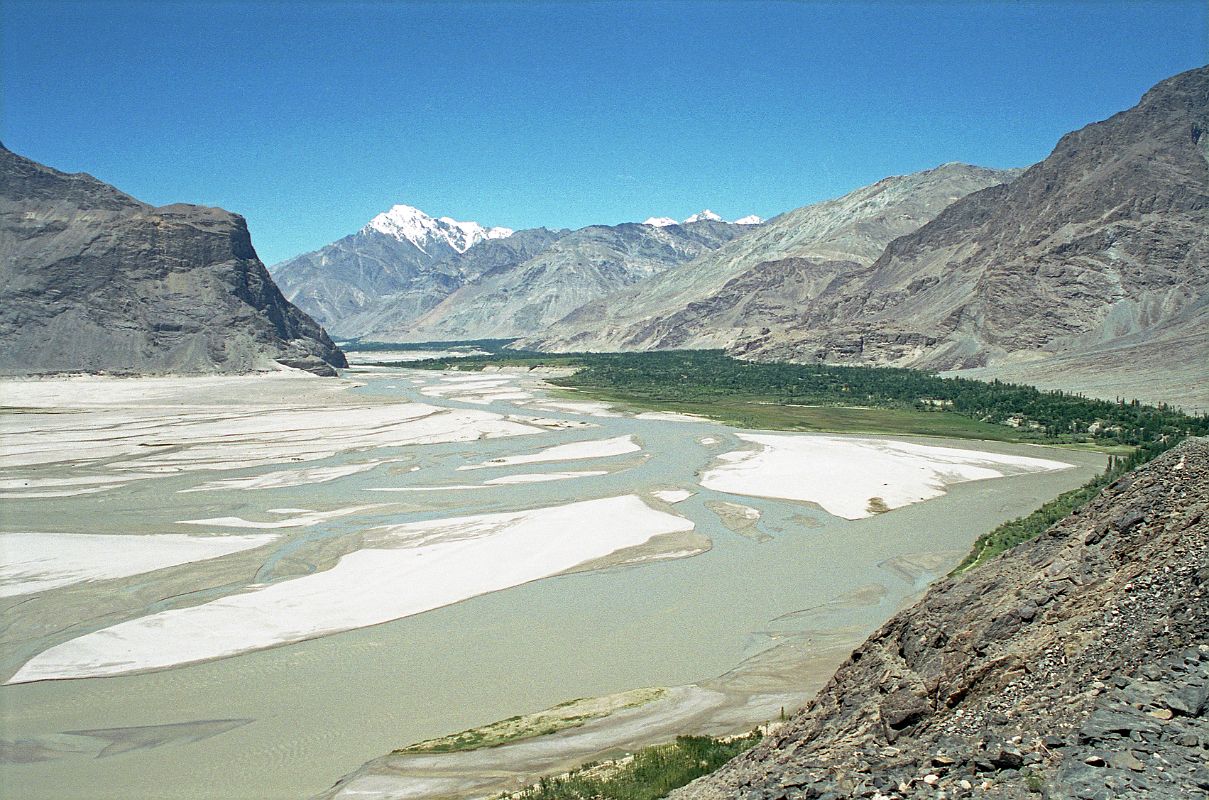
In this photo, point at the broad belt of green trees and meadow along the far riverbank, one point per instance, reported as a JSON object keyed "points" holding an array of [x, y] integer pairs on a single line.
{"points": [[858, 399]]}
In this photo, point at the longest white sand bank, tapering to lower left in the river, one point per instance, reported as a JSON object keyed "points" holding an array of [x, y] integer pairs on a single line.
{"points": [[414, 569]]}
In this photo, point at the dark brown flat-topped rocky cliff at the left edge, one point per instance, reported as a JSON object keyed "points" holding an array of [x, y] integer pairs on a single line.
{"points": [[97, 281]]}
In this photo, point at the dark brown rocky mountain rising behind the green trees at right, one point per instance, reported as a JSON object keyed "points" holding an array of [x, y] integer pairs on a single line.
{"points": [[1096, 253]]}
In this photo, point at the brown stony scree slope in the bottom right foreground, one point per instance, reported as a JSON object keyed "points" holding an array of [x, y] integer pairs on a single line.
{"points": [[1075, 666]]}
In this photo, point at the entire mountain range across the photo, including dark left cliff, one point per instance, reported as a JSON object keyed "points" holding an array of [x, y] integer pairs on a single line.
{"points": [[1086, 271]]}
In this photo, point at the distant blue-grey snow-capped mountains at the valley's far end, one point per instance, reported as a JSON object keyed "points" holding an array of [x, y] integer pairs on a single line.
{"points": [[407, 276]]}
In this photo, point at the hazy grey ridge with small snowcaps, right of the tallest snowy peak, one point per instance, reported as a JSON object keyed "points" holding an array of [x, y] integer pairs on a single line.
{"points": [[595, 262]]}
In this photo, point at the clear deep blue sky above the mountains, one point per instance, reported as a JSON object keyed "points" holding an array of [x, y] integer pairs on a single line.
{"points": [[311, 118]]}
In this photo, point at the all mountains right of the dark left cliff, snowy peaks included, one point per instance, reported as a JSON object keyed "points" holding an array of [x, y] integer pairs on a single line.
{"points": [[1084, 273]]}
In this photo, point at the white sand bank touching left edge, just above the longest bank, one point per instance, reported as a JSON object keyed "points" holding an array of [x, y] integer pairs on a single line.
{"points": [[36, 563]]}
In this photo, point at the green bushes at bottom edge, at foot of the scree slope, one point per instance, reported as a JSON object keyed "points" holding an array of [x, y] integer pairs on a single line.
{"points": [[652, 774]]}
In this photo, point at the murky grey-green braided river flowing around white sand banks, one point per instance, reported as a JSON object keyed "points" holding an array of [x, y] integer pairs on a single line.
{"points": [[288, 721]]}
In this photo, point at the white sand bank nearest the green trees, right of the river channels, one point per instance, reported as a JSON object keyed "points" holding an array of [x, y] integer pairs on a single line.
{"points": [[857, 478]]}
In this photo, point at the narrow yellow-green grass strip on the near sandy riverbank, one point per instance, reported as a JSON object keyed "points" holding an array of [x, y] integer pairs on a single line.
{"points": [[569, 715]]}
